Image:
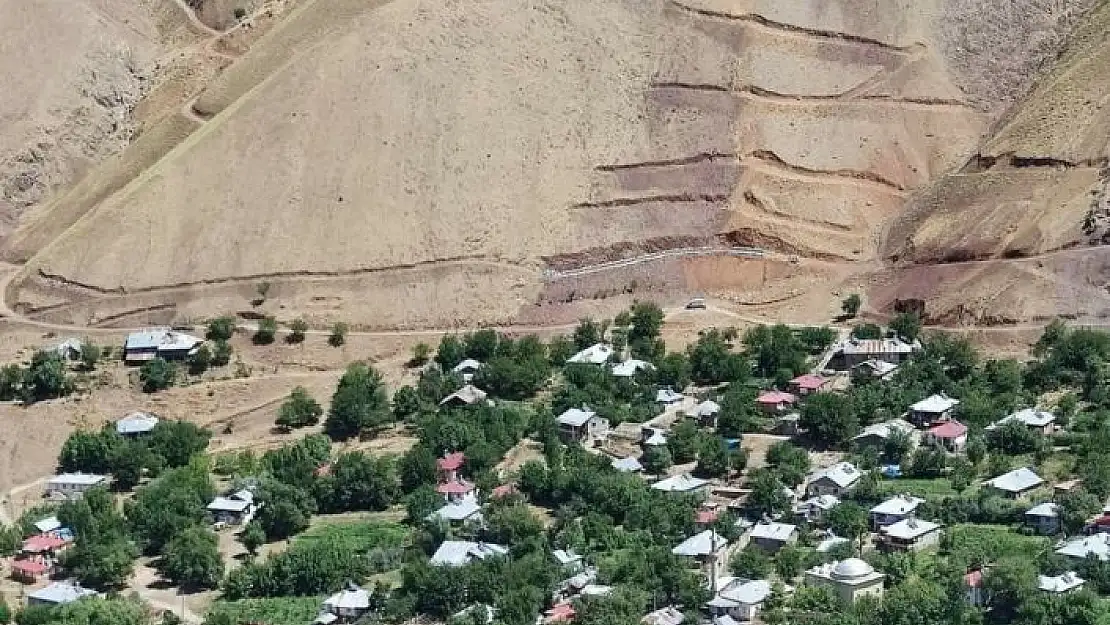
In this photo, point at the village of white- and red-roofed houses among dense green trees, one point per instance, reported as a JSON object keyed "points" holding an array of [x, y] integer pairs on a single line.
{"points": [[769, 477]]}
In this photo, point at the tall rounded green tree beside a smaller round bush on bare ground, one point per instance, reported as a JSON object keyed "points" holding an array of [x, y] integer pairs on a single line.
{"points": [[360, 404]]}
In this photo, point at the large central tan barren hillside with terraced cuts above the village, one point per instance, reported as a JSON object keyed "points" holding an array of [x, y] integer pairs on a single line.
{"points": [[426, 164]]}
